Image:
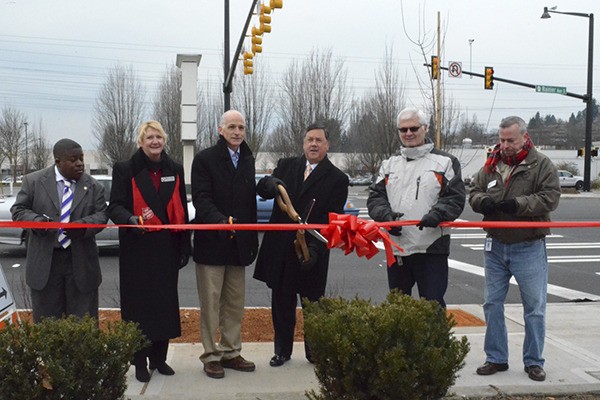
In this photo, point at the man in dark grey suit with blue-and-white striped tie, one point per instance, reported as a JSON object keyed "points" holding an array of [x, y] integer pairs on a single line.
{"points": [[62, 267]]}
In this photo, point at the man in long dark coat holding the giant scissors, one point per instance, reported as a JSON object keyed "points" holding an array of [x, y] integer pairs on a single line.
{"points": [[310, 176]]}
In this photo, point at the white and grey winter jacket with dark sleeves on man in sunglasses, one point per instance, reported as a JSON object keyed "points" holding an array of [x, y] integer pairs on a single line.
{"points": [[419, 181]]}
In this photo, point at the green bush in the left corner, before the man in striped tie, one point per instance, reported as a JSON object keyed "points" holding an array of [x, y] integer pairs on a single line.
{"points": [[67, 359]]}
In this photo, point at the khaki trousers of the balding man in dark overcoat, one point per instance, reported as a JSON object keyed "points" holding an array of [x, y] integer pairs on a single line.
{"points": [[221, 291]]}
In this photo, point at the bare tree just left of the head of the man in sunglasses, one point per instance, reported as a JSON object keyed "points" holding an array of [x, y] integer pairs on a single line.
{"points": [[373, 132]]}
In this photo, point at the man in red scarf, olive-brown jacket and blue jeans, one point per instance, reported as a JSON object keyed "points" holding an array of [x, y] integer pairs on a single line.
{"points": [[517, 183]]}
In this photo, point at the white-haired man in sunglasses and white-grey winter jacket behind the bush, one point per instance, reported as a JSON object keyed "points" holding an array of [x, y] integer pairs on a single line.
{"points": [[421, 183]]}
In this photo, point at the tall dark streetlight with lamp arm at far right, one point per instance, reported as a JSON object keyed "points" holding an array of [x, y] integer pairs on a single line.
{"points": [[587, 163]]}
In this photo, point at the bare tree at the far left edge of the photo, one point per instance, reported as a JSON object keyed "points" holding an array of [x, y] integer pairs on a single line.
{"points": [[12, 123]]}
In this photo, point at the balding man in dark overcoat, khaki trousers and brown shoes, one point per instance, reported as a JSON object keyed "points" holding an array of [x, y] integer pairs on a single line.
{"points": [[224, 192]]}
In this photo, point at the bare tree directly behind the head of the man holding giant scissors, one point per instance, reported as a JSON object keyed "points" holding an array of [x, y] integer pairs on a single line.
{"points": [[314, 90]]}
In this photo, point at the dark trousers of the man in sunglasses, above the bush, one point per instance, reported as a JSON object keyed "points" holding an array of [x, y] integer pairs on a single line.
{"points": [[428, 271]]}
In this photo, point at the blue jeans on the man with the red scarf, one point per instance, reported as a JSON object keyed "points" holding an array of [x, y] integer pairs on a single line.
{"points": [[528, 263]]}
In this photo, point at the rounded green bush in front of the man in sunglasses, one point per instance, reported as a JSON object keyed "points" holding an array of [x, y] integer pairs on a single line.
{"points": [[400, 349]]}
